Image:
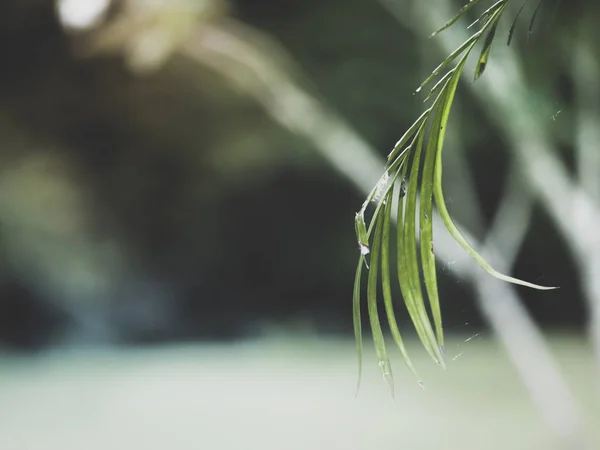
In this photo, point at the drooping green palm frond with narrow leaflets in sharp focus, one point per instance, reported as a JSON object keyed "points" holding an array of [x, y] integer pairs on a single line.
{"points": [[413, 182]]}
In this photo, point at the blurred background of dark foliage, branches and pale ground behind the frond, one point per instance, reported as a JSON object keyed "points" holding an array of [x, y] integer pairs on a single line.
{"points": [[178, 183]]}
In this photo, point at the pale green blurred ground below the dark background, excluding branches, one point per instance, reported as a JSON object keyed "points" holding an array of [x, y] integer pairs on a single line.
{"points": [[287, 393]]}
